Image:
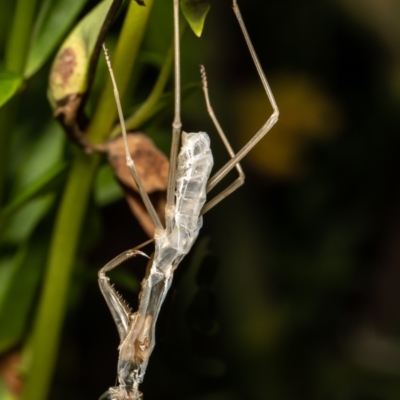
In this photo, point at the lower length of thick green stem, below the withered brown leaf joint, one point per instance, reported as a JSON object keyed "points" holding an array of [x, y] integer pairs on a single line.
{"points": [[61, 260]]}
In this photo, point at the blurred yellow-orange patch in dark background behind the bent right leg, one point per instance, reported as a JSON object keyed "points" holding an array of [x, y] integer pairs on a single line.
{"points": [[306, 114]]}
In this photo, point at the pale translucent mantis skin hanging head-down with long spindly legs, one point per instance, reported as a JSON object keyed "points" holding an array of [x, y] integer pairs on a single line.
{"points": [[186, 203]]}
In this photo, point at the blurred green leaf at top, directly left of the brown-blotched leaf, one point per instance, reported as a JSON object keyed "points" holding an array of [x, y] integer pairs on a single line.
{"points": [[53, 22]]}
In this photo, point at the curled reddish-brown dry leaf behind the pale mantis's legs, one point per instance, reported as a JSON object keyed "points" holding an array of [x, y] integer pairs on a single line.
{"points": [[152, 167]]}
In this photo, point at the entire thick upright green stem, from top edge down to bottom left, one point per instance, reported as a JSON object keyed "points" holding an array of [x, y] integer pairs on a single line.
{"points": [[52, 305]]}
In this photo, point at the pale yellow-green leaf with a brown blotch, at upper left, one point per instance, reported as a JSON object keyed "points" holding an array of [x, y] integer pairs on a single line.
{"points": [[69, 73]]}
